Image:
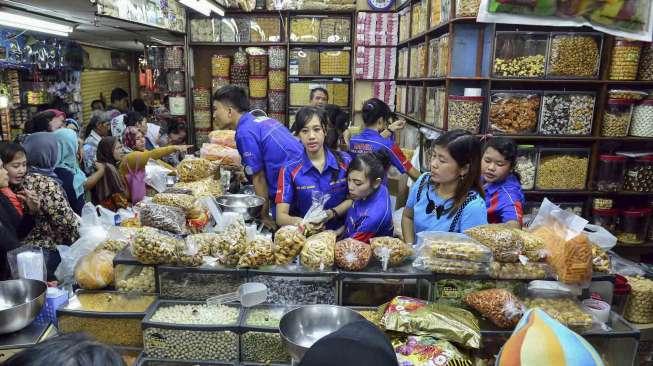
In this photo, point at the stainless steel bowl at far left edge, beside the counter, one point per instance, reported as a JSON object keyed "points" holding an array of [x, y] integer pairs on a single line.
{"points": [[20, 302]]}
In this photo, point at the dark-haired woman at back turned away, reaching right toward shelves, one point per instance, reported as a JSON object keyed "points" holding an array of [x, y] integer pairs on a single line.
{"points": [[377, 136]]}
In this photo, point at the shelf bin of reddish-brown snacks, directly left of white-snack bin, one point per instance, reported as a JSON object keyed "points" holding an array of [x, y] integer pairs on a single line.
{"points": [[514, 113]]}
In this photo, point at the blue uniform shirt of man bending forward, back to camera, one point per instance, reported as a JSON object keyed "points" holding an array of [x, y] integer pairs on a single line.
{"points": [[265, 144]]}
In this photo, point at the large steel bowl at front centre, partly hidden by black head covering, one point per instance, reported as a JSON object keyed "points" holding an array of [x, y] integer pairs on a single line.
{"points": [[302, 327]]}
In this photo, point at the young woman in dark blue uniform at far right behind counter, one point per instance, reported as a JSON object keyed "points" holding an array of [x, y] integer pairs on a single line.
{"points": [[505, 199]]}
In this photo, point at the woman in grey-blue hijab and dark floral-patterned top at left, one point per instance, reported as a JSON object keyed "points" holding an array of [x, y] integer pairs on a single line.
{"points": [[55, 223]]}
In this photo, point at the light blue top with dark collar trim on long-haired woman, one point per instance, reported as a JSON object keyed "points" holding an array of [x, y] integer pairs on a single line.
{"points": [[474, 214]]}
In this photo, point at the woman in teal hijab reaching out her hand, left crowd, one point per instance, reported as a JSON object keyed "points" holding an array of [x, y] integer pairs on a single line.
{"points": [[67, 169]]}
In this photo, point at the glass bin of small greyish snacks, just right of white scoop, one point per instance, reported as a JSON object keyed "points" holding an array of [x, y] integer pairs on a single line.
{"points": [[296, 285]]}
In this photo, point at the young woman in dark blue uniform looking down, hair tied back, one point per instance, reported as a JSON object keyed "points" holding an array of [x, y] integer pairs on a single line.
{"points": [[371, 213]]}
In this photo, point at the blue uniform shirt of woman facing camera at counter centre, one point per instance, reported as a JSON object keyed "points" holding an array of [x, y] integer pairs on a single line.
{"points": [[298, 181]]}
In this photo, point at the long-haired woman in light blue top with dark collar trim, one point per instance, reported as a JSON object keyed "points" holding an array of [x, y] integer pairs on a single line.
{"points": [[449, 197]]}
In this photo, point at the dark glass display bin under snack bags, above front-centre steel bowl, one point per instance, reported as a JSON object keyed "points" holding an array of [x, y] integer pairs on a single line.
{"points": [[373, 286]]}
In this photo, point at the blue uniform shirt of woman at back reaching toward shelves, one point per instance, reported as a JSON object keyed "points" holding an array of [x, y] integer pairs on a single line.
{"points": [[370, 140]]}
